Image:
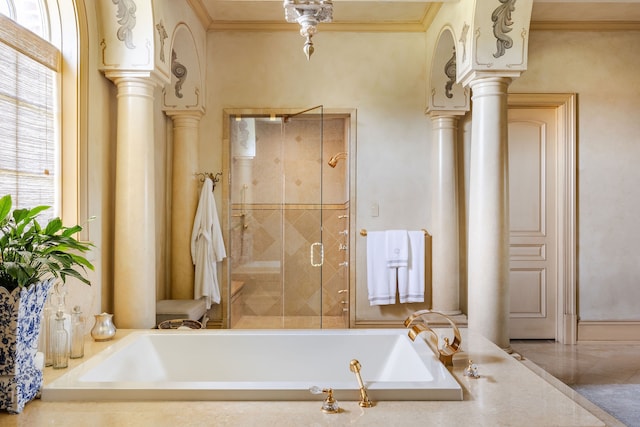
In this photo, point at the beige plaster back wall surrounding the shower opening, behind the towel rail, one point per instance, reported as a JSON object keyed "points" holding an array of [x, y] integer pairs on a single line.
{"points": [[382, 75]]}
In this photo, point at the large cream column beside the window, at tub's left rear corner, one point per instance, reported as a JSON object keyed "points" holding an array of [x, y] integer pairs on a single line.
{"points": [[134, 240]]}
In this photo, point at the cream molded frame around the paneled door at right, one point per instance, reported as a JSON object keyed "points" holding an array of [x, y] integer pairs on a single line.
{"points": [[566, 291]]}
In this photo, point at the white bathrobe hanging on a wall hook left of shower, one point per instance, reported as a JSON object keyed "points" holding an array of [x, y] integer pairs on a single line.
{"points": [[207, 247]]}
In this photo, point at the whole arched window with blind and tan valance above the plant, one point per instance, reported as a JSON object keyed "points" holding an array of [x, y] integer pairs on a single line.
{"points": [[29, 142]]}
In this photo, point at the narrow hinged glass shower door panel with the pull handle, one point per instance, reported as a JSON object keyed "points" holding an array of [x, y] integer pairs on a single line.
{"points": [[303, 250]]}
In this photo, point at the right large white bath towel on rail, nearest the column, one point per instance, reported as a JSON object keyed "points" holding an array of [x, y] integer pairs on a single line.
{"points": [[411, 278]]}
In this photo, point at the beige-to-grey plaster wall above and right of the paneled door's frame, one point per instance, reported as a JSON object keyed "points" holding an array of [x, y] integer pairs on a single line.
{"points": [[602, 68]]}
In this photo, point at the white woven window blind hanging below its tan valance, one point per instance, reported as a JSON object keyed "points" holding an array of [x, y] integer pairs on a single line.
{"points": [[28, 141]]}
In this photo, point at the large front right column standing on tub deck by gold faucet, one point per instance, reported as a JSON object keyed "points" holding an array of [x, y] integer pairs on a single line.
{"points": [[488, 257]]}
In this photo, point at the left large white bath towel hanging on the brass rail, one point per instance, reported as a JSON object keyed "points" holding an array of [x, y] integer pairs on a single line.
{"points": [[381, 280]]}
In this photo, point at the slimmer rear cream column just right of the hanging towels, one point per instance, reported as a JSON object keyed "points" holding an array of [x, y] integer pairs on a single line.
{"points": [[444, 212]]}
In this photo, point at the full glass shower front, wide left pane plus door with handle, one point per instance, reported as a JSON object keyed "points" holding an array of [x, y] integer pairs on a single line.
{"points": [[276, 252]]}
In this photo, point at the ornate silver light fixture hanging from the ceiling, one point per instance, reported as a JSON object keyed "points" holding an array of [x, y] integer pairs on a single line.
{"points": [[308, 14]]}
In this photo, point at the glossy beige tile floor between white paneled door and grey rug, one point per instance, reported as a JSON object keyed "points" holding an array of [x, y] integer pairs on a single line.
{"points": [[583, 364]]}
